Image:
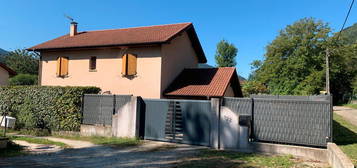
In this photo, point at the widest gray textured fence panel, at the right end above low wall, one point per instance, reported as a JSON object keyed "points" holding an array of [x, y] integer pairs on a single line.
{"points": [[292, 121]]}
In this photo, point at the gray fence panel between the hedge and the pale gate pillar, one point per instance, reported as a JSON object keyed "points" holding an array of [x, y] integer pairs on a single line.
{"points": [[99, 109]]}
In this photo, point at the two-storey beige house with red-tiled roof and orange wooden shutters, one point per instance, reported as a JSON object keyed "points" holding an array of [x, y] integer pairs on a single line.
{"points": [[141, 61]]}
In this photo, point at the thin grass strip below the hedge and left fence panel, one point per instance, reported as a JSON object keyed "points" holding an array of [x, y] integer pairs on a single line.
{"points": [[109, 141]]}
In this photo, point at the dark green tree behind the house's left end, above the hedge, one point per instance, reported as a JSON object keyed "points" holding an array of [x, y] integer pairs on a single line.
{"points": [[22, 61]]}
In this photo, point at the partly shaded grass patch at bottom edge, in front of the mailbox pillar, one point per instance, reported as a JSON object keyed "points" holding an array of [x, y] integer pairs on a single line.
{"points": [[213, 158]]}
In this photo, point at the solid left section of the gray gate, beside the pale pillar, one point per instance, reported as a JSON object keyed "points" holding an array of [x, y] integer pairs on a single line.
{"points": [[155, 118]]}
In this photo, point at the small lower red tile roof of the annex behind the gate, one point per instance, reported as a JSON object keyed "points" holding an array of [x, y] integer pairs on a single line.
{"points": [[205, 82]]}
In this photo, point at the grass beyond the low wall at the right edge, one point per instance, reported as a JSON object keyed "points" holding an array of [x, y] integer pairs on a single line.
{"points": [[345, 136]]}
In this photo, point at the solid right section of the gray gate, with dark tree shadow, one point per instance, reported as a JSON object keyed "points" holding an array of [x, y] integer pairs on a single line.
{"points": [[197, 119]]}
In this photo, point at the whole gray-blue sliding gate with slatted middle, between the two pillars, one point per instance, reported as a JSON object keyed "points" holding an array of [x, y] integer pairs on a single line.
{"points": [[181, 121]]}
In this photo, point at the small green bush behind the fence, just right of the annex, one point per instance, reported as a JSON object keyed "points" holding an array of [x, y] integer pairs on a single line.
{"points": [[253, 87]]}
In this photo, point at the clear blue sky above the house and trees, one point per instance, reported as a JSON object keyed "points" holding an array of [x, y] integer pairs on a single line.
{"points": [[250, 25]]}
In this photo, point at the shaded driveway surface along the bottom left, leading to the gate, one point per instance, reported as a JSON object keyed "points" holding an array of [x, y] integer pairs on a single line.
{"points": [[152, 154]]}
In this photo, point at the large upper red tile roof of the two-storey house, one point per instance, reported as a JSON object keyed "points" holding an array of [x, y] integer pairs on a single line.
{"points": [[124, 37]]}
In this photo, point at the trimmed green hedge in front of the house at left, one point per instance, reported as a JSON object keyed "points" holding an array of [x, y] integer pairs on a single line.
{"points": [[45, 107]]}
